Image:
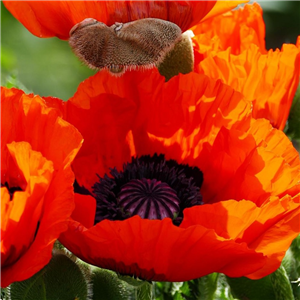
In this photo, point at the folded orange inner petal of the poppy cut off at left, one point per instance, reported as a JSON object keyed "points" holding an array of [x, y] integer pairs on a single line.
{"points": [[26, 208]]}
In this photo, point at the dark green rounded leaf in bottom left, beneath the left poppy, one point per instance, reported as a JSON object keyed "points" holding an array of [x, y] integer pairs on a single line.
{"points": [[61, 279]]}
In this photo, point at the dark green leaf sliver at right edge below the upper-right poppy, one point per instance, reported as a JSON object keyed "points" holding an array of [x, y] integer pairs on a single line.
{"points": [[293, 124]]}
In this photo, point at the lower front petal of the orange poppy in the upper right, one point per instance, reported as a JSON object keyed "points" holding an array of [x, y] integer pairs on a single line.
{"points": [[268, 80]]}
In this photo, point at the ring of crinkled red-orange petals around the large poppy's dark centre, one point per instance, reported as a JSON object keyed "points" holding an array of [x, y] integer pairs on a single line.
{"points": [[201, 122]]}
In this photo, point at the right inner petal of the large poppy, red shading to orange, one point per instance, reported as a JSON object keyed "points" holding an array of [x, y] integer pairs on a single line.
{"points": [[243, 170]]}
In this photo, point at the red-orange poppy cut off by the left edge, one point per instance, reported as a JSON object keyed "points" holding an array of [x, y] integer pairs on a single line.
{"points": [[37, 148]]}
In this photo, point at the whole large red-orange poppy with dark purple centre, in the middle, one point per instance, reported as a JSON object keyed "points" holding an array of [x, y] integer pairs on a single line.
{"points": [[150, 138]]}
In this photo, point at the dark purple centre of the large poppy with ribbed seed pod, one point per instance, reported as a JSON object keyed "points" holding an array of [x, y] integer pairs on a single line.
{"points": [[149, 186]]}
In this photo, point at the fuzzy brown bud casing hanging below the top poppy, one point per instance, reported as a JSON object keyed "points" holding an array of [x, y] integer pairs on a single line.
{"points": [[142, 43]]}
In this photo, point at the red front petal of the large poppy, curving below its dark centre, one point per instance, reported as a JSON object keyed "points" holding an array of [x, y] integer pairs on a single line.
{"points": [[158, 250]]}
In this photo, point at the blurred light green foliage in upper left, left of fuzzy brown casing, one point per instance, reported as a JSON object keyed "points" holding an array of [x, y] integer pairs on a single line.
{"points": [[46, 66]]}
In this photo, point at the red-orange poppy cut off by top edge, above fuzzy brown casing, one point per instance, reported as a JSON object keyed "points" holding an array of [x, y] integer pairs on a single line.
{"points": [[56, 18]]}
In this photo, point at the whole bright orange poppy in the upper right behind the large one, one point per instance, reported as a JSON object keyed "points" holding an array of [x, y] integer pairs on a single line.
{"points": [[231, 47]]}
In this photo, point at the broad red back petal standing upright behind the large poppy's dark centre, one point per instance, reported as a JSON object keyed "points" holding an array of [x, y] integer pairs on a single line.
{"points": [[141, 102]]}
